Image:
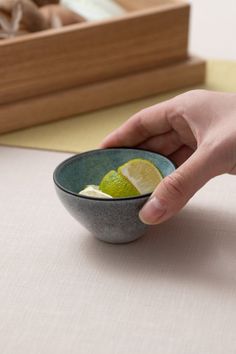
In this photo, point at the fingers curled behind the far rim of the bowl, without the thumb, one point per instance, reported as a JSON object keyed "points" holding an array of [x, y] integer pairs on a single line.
{"points": [[143, 125]]}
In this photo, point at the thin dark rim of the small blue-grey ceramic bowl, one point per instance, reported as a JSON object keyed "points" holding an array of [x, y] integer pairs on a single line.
{"points": [[107, 200]]}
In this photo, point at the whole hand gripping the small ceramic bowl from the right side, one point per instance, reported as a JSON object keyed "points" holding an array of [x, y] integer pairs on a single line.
{"points": [[197, 131]]}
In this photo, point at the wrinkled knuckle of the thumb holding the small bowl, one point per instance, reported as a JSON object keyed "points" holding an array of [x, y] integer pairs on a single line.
{"points": [[174, 186]]}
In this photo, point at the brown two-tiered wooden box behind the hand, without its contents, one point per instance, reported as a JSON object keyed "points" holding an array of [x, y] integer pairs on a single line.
{"points": [[59, 73]]}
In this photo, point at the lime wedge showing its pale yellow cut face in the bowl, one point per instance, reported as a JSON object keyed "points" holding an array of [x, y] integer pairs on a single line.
{"points": [[142, 174]]}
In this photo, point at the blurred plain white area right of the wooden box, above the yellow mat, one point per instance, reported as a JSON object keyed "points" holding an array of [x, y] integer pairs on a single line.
{"points": [[213, 28]]}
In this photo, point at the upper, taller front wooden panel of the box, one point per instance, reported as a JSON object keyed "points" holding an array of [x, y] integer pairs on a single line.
{"points": [[52, 61]]}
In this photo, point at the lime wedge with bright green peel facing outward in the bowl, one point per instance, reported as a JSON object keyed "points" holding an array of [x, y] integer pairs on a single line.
{"points": [[117, 185]]}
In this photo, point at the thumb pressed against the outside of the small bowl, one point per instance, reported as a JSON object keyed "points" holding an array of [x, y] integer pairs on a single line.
{"points": [[175, 190]]}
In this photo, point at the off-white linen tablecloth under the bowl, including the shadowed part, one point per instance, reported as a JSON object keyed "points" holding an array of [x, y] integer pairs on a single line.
{"points": [[64, 292]]}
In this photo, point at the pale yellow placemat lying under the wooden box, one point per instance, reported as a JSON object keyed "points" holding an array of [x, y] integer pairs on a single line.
{"points": [[86, 131]]}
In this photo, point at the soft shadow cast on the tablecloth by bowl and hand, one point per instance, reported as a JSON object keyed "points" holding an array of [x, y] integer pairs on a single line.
{"points": [[197, 246]]}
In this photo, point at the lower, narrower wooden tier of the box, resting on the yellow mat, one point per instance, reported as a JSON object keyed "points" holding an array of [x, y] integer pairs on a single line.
{"points": [[91, 97]]}
